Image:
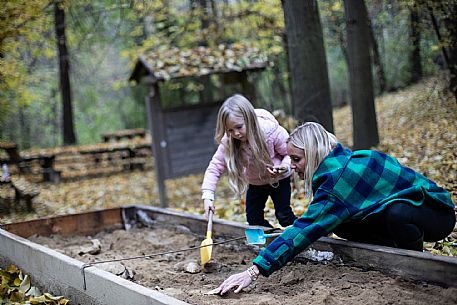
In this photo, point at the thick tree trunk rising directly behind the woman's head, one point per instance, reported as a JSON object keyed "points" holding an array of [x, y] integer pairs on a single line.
{"points": [[308, 65]]}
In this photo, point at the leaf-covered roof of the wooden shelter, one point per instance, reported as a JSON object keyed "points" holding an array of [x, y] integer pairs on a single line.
{"points": [[176, 63]]}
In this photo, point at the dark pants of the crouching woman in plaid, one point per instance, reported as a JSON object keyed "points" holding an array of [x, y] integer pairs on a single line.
{"points": [[402, 225]]}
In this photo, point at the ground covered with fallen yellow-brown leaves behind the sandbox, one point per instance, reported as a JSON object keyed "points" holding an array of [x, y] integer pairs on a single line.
{"points": [[416, 125]]}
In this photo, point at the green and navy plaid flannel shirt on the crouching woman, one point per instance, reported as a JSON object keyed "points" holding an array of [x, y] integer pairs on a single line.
{"points": [[349, 187]]}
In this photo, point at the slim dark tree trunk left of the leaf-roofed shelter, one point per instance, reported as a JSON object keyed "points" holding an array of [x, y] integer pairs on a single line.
{"points": [[64, 73]]}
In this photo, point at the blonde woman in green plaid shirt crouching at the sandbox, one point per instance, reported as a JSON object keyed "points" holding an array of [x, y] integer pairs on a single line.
{"points": [[364, 196]]}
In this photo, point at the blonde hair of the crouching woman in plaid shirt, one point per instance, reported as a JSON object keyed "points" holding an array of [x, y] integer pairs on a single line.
{"points": [[316, 143]]}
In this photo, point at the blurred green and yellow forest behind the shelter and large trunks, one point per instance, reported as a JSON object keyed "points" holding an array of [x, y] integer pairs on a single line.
{"points": [[105, 37]]}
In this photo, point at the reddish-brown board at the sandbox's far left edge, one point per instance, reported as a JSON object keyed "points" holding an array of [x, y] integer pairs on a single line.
{"points": [[84, 223]]}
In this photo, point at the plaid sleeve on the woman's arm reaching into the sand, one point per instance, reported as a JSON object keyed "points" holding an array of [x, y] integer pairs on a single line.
{"points": [[324, 214]]}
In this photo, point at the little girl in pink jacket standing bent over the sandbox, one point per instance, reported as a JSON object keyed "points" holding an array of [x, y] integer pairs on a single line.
{"points": [[252, 148]]}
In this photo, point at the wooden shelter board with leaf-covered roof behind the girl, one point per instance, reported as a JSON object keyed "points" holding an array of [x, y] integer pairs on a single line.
{"points": [[186, 89]]}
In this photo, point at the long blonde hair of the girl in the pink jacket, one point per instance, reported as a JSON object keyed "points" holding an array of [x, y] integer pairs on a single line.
{"points": [[239, 107]]}
